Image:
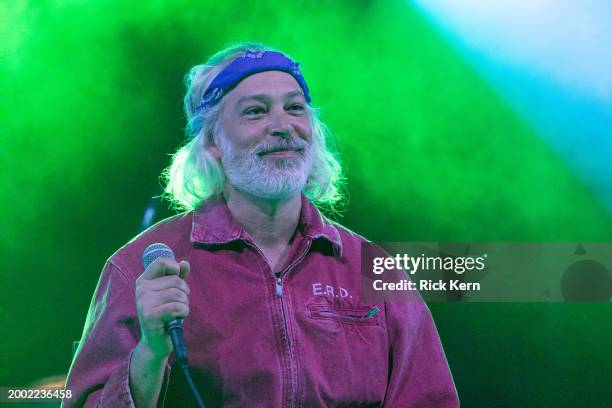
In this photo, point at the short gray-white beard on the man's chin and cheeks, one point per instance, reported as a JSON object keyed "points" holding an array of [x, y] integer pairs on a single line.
{"points": [[263, 177]]}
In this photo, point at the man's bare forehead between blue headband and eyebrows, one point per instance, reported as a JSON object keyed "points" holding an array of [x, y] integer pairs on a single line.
{"points": [[271, 83]]}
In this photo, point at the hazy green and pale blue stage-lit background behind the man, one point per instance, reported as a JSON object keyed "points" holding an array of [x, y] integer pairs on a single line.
{"points": [[463, 121]]}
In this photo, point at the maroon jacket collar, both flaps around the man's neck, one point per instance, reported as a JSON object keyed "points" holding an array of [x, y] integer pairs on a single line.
{"points": [[213, 223]]}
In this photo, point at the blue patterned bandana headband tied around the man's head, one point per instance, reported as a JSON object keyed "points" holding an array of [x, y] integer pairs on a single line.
{"points": [[252, 62]]}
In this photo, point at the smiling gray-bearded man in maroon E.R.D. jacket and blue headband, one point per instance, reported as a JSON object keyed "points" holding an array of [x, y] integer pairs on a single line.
{"points": [[269, 289]]}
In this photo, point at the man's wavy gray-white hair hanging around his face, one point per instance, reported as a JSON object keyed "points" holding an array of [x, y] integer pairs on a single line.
{"points": [[194, 174]]}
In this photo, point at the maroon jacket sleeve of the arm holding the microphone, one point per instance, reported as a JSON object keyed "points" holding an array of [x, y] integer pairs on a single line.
{"points": [[99, 373]]}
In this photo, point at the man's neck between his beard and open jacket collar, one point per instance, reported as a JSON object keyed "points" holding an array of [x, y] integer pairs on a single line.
{"points": [[270, 223]]}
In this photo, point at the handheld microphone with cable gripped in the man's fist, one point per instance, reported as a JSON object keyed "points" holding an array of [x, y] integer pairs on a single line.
{"points": [[175, 327]]}
